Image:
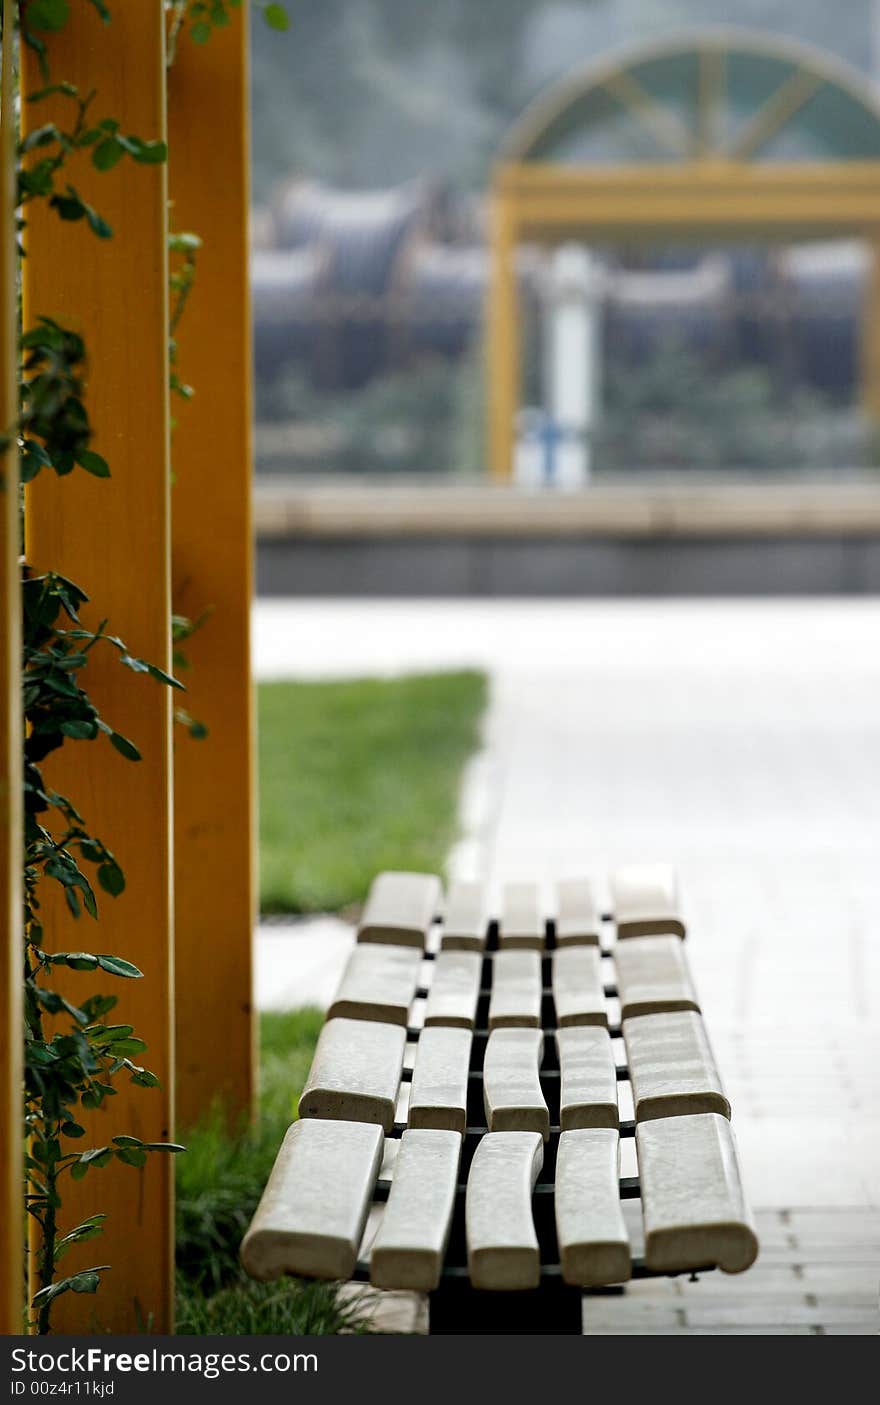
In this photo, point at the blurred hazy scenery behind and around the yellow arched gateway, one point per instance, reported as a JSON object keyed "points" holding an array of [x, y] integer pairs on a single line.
{"points": [[376, 130]]}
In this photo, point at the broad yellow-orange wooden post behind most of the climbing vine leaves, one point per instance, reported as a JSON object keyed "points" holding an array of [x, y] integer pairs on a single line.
{"points": [[113, 539]]}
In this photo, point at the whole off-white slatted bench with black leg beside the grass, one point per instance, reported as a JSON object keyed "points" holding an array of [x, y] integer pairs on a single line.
{"points": [[474, 1091]]}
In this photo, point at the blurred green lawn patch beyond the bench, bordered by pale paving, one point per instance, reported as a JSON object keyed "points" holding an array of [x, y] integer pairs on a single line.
{"points": [[356, 778]]}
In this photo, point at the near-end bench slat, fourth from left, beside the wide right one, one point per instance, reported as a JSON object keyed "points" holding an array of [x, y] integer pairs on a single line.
{"points": [[594, 1241]]}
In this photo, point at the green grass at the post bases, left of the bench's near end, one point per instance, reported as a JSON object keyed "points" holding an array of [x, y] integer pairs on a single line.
{"points": [[220, 1181]]}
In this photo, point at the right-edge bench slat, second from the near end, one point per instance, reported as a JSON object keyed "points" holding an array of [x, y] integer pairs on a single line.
{"points": [[673, 1070]]}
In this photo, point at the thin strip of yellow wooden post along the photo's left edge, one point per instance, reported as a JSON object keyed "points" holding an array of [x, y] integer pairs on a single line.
{"points": [[12, 1215]]}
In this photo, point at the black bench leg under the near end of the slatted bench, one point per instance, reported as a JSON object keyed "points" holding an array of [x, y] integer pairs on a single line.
{"points": [[456, 1309]]}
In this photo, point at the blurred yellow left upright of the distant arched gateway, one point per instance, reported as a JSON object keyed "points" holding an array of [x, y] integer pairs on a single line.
{"points": [[503, 341]]}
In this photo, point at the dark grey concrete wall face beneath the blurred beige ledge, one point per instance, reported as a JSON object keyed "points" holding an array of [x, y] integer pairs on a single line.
{"points": [[597, 566]]}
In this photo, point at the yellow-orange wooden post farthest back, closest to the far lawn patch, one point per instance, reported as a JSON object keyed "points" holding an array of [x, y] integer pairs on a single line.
{"points": [[214, 841]]}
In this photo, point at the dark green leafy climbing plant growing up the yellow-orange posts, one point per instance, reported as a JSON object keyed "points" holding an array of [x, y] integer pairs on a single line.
{"points": [[75, 1056]]}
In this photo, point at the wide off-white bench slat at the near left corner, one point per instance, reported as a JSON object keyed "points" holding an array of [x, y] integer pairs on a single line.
{"points": [[314, 1209]]}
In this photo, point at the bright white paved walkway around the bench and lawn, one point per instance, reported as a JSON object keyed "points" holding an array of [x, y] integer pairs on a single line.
{"points": [[740, 741]]}
